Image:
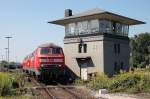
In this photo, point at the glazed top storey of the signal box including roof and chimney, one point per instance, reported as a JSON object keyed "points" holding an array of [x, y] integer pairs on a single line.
{"points": [[95, 21]]}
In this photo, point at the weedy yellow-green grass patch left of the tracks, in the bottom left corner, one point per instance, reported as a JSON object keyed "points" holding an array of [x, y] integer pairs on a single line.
{"points": [[12, 85]]}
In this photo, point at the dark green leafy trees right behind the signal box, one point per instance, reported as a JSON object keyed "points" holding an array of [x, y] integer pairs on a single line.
{"points": [[140, 49]]}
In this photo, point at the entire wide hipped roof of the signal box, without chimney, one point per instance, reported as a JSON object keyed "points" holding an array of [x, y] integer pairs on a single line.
{"points": [[96, 14]]}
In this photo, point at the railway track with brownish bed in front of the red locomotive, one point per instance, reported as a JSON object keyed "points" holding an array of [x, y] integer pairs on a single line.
{"points": [[58, 91]]}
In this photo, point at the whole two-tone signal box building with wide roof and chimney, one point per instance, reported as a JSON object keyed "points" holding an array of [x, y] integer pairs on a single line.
{"points": [[96, 41]]}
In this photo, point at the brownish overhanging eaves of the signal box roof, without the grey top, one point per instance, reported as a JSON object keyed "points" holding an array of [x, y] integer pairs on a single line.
{"points": [[100, 16]]}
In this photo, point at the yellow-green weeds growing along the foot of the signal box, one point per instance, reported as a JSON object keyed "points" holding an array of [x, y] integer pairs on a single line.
{"points": [[130, 82]]}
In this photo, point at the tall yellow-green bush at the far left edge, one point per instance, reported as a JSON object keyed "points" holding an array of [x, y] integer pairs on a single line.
{"points": [[5, 84]]}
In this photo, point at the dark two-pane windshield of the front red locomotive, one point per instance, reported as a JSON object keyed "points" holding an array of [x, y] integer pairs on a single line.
{"points": [[51, 51]]}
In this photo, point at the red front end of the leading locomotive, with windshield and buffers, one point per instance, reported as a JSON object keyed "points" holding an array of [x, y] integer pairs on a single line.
{"points": [[51, 61]]}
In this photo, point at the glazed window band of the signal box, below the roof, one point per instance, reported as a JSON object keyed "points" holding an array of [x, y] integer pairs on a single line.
{"points": [[96, 26]]}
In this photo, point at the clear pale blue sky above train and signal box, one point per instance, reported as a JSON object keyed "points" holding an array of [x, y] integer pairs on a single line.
{"points": [[26, 21]]}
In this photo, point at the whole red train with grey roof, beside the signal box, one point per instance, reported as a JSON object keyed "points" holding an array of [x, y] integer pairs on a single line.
{"points": [[47, 61]]}
